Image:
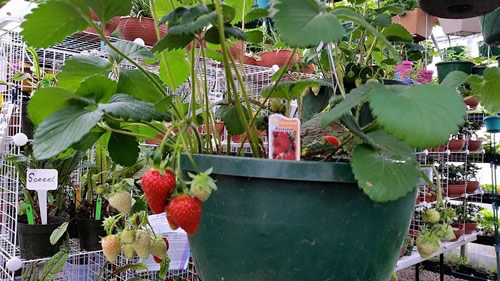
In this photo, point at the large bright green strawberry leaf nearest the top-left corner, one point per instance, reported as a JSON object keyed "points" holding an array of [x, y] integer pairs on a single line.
{"points": [[66, 17]]}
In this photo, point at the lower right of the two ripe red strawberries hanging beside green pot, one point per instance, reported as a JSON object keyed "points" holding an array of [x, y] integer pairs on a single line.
{"points": [[185, 211]]}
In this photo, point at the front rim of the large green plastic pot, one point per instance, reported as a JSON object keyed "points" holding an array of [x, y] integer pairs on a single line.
{"points": [[272, 169]]}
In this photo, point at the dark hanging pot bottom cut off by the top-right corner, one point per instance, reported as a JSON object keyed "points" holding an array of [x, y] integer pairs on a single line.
{"points": [[458, 9]]}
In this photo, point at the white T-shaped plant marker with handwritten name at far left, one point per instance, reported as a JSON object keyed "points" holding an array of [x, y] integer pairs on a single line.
{"points": [[42, 180]]}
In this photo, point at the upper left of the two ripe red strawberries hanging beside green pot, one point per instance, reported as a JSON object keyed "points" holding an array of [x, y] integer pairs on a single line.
{"points": [[157, 188]]}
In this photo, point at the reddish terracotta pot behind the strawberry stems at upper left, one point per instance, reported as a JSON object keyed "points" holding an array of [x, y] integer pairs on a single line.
{"points": [[133, 28]]}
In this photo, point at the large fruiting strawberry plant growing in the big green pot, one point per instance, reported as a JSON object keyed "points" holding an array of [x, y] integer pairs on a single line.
{"points": [[86, 106]]}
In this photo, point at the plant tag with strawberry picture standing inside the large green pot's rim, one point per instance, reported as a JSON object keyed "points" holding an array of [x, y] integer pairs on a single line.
{"points": [[284, 138]]}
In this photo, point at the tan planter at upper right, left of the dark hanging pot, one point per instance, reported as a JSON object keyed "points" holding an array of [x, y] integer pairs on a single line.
{"points": [[417, 22]]}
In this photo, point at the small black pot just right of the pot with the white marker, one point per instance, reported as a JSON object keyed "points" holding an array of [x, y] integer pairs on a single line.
{"points": [[90, 232]]}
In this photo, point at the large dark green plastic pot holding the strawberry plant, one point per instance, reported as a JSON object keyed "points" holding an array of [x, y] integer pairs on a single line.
{"points": [[273, 220]]}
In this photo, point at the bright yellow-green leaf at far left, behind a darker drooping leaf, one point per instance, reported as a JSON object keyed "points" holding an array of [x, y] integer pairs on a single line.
{"points": [[46, 101]]}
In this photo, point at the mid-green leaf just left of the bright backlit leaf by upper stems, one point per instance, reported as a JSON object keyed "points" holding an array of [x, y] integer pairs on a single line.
{"points": [[137, 84]]}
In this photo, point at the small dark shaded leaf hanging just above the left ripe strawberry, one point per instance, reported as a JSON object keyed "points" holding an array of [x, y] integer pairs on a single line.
{"points": [[123, 150]]}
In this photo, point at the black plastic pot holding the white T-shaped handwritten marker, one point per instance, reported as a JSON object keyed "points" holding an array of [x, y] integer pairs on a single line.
{"points": [[34, 240]]}
